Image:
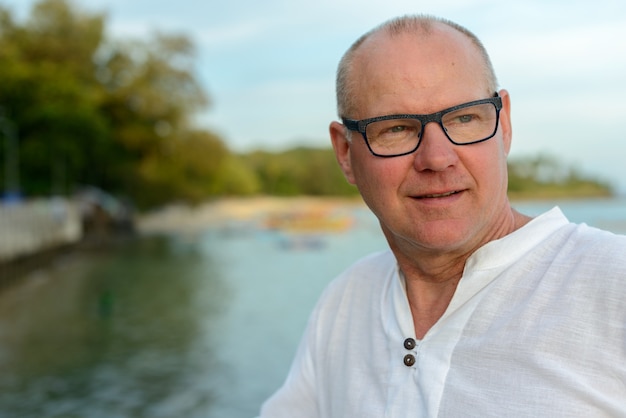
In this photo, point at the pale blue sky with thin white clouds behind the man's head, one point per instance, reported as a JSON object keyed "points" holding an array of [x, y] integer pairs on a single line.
{"points": [[269, 66]]}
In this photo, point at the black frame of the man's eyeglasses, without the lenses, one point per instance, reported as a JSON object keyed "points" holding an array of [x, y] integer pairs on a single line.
{"points": [[361, 125]]}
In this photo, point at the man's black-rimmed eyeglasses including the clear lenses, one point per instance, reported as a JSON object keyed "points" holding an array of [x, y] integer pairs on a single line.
{"points": [[396, 135]]}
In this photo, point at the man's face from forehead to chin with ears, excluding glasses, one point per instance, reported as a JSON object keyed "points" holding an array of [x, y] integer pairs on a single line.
{"points": [[443, 198]]}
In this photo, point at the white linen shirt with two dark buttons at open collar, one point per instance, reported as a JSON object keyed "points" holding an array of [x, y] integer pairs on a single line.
{"points": [[536, 328]]}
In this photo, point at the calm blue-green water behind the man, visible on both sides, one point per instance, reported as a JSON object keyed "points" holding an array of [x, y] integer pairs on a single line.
{"points": [[180, 326]]}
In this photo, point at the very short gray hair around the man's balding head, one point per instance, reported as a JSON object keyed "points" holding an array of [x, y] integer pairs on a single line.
{"points": [[402, 25]]}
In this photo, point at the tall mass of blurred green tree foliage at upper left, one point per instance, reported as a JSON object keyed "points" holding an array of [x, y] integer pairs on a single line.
{"points": [[94, 110]]}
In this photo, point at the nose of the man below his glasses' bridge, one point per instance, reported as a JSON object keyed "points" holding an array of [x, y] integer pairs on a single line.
{"points": [[435, 152]]}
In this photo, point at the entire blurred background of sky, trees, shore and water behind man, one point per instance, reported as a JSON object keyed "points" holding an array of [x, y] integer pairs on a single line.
{"points": [[170, 206]]}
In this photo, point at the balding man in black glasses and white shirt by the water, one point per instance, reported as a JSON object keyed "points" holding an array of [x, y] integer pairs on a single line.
{"points": [[477, 310]]}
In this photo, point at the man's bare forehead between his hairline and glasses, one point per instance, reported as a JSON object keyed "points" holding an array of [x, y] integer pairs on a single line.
{"points": [[426, 70]]}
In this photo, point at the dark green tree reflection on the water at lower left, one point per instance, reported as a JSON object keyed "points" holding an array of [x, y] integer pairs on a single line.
{"points": [[107, 335]]}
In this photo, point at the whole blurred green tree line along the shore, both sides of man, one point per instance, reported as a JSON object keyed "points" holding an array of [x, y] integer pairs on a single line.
{"points": [[79, 107]]}
